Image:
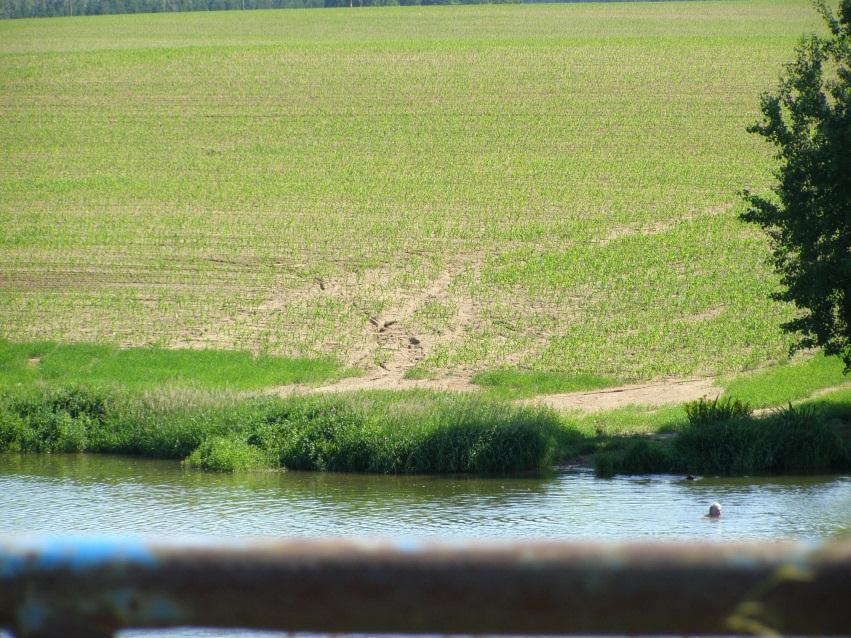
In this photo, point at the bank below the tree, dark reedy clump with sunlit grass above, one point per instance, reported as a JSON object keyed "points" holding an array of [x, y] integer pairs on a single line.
{"points": [[725, 436]]}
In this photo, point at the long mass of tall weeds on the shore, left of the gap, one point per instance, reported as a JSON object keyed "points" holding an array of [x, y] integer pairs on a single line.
{"points": [[382, 432]]}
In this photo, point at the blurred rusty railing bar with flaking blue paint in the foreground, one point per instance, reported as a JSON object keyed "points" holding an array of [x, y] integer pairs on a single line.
{"points": [[92, 587]]}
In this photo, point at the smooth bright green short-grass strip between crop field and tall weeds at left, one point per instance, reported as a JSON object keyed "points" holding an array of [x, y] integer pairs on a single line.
{"points": [[137, 368]]}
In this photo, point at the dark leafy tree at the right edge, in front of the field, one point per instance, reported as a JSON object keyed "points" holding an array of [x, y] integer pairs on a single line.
{"points": [[808, 218]]}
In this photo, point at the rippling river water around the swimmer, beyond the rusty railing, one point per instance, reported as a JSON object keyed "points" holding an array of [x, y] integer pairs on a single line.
{"points": [[117, 495]]}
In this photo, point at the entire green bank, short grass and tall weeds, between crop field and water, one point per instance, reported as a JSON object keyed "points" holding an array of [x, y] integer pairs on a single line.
{"points": [[192, 405]]}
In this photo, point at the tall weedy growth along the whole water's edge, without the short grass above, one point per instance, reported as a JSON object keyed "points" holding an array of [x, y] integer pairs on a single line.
{"points": [[418, 432]]}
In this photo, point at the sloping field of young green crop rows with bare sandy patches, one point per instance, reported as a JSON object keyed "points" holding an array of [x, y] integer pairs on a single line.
{"points": [[434, 190]]}
